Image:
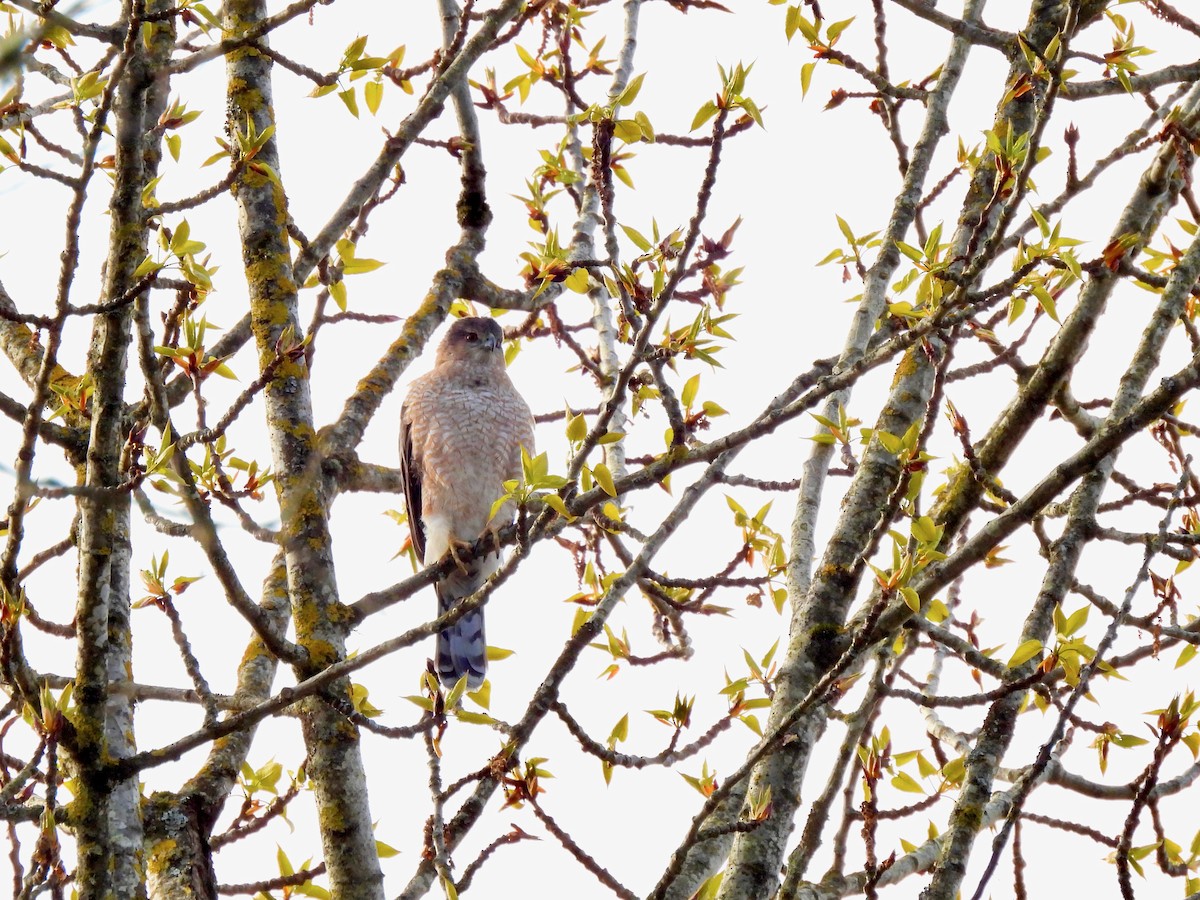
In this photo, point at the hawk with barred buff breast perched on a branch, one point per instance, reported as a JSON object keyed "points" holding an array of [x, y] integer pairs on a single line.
{"points": [[461, 431]]}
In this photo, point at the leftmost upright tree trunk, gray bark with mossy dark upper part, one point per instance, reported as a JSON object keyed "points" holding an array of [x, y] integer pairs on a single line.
{"points": [[110, 819]]}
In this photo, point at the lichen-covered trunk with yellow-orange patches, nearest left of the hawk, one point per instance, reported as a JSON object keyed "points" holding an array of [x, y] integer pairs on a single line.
{"points": [[335, 763]]}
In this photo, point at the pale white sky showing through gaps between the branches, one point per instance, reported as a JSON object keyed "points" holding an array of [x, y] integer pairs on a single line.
{"points": [[788, 182]]}
